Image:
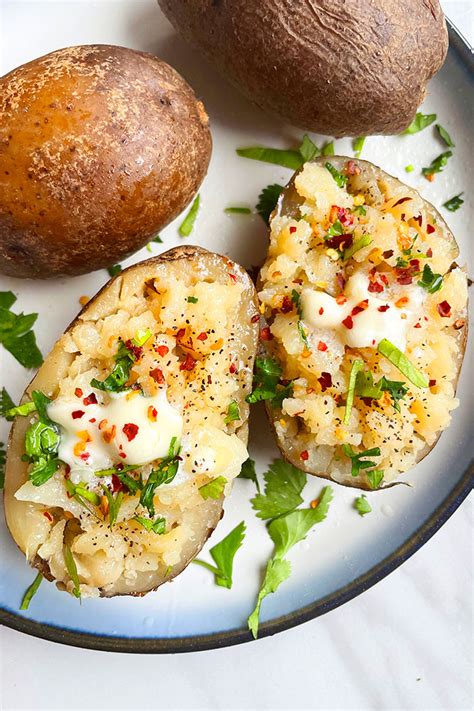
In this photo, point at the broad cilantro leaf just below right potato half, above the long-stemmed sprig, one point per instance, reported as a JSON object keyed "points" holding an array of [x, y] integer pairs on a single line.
{"points": [[283, 486]]}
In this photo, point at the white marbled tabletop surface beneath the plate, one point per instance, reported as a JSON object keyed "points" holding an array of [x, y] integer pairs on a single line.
{"points": [[405, 644]]}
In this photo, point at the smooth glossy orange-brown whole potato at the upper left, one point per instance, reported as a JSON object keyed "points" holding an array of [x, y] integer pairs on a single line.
{"points": [[100, 148]]}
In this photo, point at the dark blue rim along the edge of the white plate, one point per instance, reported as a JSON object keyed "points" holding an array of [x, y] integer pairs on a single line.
{"points": [[139, 645]]}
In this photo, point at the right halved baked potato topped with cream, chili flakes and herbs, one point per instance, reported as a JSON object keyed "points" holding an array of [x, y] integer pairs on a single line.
{"points": [[366, 313]]}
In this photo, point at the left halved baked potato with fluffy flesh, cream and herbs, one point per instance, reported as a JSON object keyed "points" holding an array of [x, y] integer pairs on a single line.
{"points": [[136, 427]]}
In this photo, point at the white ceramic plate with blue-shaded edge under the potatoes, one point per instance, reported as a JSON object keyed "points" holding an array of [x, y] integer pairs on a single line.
{"points": [[344, 555]]}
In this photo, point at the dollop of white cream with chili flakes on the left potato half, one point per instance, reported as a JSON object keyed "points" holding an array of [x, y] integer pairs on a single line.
{"points": [[127, 428]]}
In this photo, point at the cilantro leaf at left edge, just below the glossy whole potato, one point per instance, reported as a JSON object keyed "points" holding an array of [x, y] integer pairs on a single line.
{"points": [[16, 335]]}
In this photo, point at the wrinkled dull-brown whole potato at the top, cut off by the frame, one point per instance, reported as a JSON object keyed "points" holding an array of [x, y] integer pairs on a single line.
{"points": [[337, 67]]}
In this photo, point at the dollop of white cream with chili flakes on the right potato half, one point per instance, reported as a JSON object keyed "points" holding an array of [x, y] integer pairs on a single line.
{"points": [[379, 317]]}
